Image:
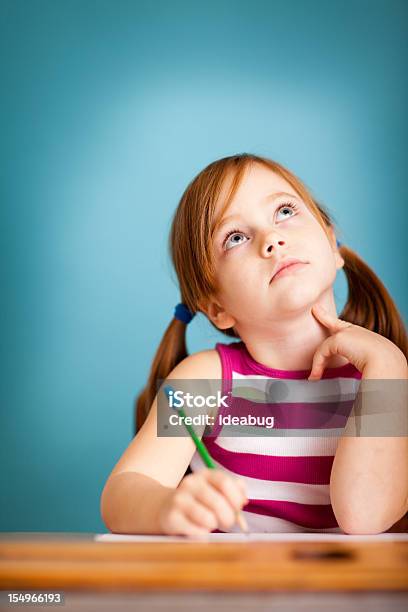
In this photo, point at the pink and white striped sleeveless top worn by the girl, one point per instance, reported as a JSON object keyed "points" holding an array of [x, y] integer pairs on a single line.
{"points": [[286, 468]]}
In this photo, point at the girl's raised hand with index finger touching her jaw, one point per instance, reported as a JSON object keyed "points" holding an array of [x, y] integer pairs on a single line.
{"points": [[359, 345]]}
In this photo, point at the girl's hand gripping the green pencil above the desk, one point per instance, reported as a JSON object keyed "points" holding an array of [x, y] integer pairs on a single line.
{"points": [[203, 501]]}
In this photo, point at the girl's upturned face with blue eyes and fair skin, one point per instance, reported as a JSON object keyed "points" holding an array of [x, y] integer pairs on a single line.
{"points": [[270, 223]]}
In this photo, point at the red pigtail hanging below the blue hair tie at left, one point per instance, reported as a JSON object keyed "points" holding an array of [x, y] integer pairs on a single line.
{"points": [[171, 351]]}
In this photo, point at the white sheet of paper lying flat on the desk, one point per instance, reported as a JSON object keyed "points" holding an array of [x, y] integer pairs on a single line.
{"points": [[254, 537]]}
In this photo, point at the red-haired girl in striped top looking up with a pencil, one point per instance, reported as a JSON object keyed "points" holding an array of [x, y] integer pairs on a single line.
{"points": [[258, 255]]}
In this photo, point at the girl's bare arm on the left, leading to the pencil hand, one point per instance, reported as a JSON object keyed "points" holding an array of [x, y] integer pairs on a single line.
{"points": [[152, 467]]}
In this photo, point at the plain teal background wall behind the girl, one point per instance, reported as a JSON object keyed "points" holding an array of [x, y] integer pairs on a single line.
{"points": [[108, 110]]}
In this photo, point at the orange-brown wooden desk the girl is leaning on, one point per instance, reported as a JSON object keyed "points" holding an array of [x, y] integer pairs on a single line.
{"points": [[74, 563]]}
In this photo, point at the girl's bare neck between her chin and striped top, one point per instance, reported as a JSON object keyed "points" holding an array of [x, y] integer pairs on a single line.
{"points": [[290, 344]]}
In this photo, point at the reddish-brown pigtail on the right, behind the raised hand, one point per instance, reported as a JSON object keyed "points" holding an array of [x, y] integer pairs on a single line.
{"points": [[369, 304]]}
